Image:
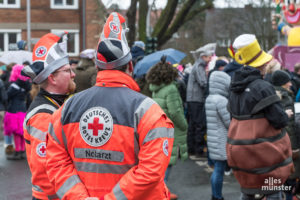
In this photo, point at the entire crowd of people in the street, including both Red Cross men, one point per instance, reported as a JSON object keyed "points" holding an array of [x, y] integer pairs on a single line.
{"points": [[112, 137]]}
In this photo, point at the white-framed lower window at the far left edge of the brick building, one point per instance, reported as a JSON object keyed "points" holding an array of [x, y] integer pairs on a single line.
{"points": [[9, 39]]}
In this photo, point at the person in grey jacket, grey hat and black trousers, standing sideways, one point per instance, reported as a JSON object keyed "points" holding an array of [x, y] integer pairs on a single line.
{"points": [[195, 98]]}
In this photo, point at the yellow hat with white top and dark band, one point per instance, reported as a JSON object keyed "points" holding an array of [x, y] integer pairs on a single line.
{"points": [[249, 51]]}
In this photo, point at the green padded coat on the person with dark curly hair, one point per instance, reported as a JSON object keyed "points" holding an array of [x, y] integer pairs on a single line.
{"points": [[167, 96]]}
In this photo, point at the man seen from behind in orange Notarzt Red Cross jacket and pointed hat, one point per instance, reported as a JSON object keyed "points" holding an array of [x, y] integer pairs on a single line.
{"points": [[109, 141]]}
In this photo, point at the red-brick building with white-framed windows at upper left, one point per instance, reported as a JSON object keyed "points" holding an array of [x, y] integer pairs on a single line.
{"points": [[83, 19]]}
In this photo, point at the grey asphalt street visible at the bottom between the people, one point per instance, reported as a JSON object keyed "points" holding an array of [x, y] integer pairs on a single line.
{"points": [[187, 179]]}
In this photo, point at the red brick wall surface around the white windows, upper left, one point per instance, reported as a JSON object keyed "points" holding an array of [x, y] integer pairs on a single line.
{"points": [[42, 13]]}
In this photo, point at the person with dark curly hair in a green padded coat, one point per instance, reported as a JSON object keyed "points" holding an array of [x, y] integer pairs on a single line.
{"points": [[162, 79]]}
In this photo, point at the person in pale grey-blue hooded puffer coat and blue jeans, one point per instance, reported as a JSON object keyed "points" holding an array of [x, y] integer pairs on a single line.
{"points": [[218, 120]]}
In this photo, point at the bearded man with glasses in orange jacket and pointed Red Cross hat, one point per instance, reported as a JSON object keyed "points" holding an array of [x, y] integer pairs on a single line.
{"points": [[51, 70]]}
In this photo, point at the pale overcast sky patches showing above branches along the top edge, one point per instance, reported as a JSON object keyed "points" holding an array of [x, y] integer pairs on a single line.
{"points": [[124, 4]]}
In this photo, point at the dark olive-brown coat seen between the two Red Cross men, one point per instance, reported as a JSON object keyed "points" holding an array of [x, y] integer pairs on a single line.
{"points": [[86, 73]]}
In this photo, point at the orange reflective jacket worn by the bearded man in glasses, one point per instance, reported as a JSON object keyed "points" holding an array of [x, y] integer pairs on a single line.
{"points": [[35, 128]]}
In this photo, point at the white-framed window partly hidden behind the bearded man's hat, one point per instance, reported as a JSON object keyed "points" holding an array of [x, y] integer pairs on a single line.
{"points": [[73, 41]]}
